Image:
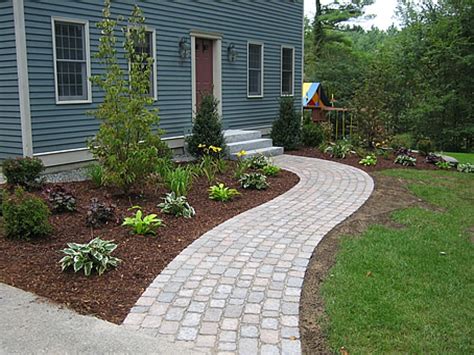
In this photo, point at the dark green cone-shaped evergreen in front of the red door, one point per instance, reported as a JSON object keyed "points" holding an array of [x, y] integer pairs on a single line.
{"points": [[207, 128]]}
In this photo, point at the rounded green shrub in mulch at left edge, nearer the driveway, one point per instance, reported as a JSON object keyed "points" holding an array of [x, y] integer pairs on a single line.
{"points": [[25, 216]]}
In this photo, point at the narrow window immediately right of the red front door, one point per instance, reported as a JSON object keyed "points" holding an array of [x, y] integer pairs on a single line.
{"points": [[255, 70]]}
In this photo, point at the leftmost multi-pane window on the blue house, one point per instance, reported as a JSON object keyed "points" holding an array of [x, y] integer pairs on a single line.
{"points": [[71, 61]]}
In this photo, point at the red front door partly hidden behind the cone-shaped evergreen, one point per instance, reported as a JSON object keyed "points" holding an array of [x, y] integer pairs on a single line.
{"points": [[204, 69]]}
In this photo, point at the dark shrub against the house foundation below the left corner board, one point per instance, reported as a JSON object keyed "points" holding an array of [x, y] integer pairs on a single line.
{"points": [[24, 172]]}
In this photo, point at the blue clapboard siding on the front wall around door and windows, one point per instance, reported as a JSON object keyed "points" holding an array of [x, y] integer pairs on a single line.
{"points": [[275, 23]]}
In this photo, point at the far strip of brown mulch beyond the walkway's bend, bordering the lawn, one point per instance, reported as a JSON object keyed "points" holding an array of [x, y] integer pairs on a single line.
{"points": [[353, 159]]}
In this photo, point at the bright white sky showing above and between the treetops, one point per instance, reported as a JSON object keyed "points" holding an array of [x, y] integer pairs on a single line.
{"points": [[384, 11]]}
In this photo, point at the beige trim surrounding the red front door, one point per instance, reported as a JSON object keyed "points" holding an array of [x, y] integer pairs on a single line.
{"points": [[216, 67]]}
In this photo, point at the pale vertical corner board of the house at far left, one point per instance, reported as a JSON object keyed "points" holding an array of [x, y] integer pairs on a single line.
{"points": [[23, 86]]}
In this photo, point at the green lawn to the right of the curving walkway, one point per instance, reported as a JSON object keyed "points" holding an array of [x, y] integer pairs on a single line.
{"points": [[409, 290]]}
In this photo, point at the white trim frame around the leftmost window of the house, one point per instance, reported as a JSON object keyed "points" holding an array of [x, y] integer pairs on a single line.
{"points": [[88, 60]]}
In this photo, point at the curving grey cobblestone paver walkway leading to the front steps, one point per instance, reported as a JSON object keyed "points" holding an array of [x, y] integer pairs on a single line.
{"points": [[237, 288]]}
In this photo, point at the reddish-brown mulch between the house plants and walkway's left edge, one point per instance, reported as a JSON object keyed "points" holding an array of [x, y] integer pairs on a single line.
{"points": [[33, 266]]}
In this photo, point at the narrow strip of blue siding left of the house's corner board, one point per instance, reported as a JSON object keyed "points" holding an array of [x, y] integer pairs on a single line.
{"points": [[10, 124]]}
